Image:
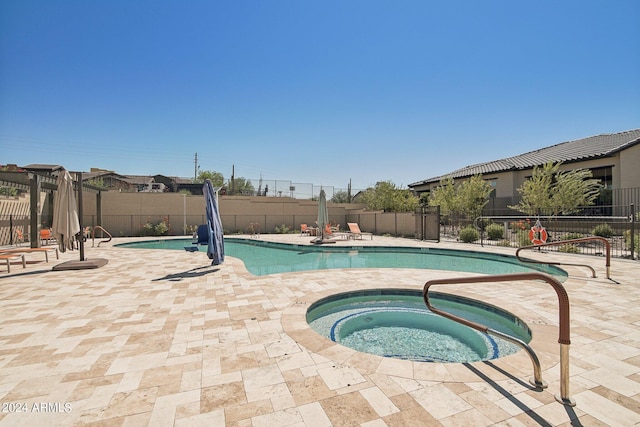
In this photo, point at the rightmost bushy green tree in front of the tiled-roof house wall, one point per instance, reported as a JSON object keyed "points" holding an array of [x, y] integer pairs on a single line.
{"points": [[556, 192]]}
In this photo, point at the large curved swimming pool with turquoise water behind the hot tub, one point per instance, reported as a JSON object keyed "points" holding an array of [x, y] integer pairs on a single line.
{"points": [[264, 258]]}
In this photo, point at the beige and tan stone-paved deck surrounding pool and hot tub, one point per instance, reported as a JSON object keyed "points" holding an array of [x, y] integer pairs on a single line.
{"points": [[162, 338]]}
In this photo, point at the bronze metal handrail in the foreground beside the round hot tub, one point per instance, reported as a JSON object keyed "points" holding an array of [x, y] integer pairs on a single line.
{"points": [[564, 325]]}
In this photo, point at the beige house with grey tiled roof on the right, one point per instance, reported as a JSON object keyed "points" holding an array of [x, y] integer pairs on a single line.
{"points": [[613, 158]]}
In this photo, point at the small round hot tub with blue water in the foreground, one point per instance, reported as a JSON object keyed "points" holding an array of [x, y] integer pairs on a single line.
{"points": [[396, 323]]}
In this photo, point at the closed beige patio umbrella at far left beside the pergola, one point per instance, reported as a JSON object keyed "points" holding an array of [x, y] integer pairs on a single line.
{"points": [[65, 213]]}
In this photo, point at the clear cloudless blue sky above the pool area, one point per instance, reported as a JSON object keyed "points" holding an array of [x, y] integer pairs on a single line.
{"points": [[312, 92]]}
